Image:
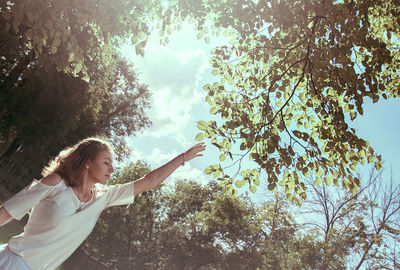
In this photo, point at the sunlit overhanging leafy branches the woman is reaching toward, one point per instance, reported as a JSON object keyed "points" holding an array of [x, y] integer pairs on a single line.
{"points": [[294, 74]]}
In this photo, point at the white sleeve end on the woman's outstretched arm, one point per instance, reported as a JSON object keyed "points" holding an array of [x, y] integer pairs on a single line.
{"points": [[120, 194]]}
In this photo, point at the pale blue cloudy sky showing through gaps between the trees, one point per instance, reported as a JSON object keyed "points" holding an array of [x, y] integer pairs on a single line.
{"points": [[176, 74]]}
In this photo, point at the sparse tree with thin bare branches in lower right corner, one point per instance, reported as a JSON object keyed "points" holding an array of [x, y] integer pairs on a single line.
{"points": [[362, 227]]}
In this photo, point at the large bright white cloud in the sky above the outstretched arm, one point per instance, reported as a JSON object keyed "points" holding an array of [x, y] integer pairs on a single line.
{"points": [[173, 77]]}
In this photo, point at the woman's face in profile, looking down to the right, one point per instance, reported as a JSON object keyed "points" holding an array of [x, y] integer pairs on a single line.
{"points": [[100, 169]]}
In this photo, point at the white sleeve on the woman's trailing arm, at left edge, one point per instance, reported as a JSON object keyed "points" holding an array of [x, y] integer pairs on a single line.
{"points": [[19, 204]]}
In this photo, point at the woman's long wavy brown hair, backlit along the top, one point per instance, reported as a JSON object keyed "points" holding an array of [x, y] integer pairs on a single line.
{"points": [[70, 162]]}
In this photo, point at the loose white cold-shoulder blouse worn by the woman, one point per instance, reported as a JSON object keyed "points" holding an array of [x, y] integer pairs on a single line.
{"points": [[58, 222]]}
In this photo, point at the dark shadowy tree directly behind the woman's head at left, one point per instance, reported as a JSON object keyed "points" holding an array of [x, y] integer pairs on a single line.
{"points": [[49, 110]]}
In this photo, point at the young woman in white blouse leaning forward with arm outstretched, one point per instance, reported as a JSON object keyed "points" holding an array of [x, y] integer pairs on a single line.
{"points": [[67, 202]]}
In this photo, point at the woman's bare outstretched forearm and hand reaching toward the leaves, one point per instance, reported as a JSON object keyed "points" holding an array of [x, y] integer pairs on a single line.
{"points": [[154, 178]]}
